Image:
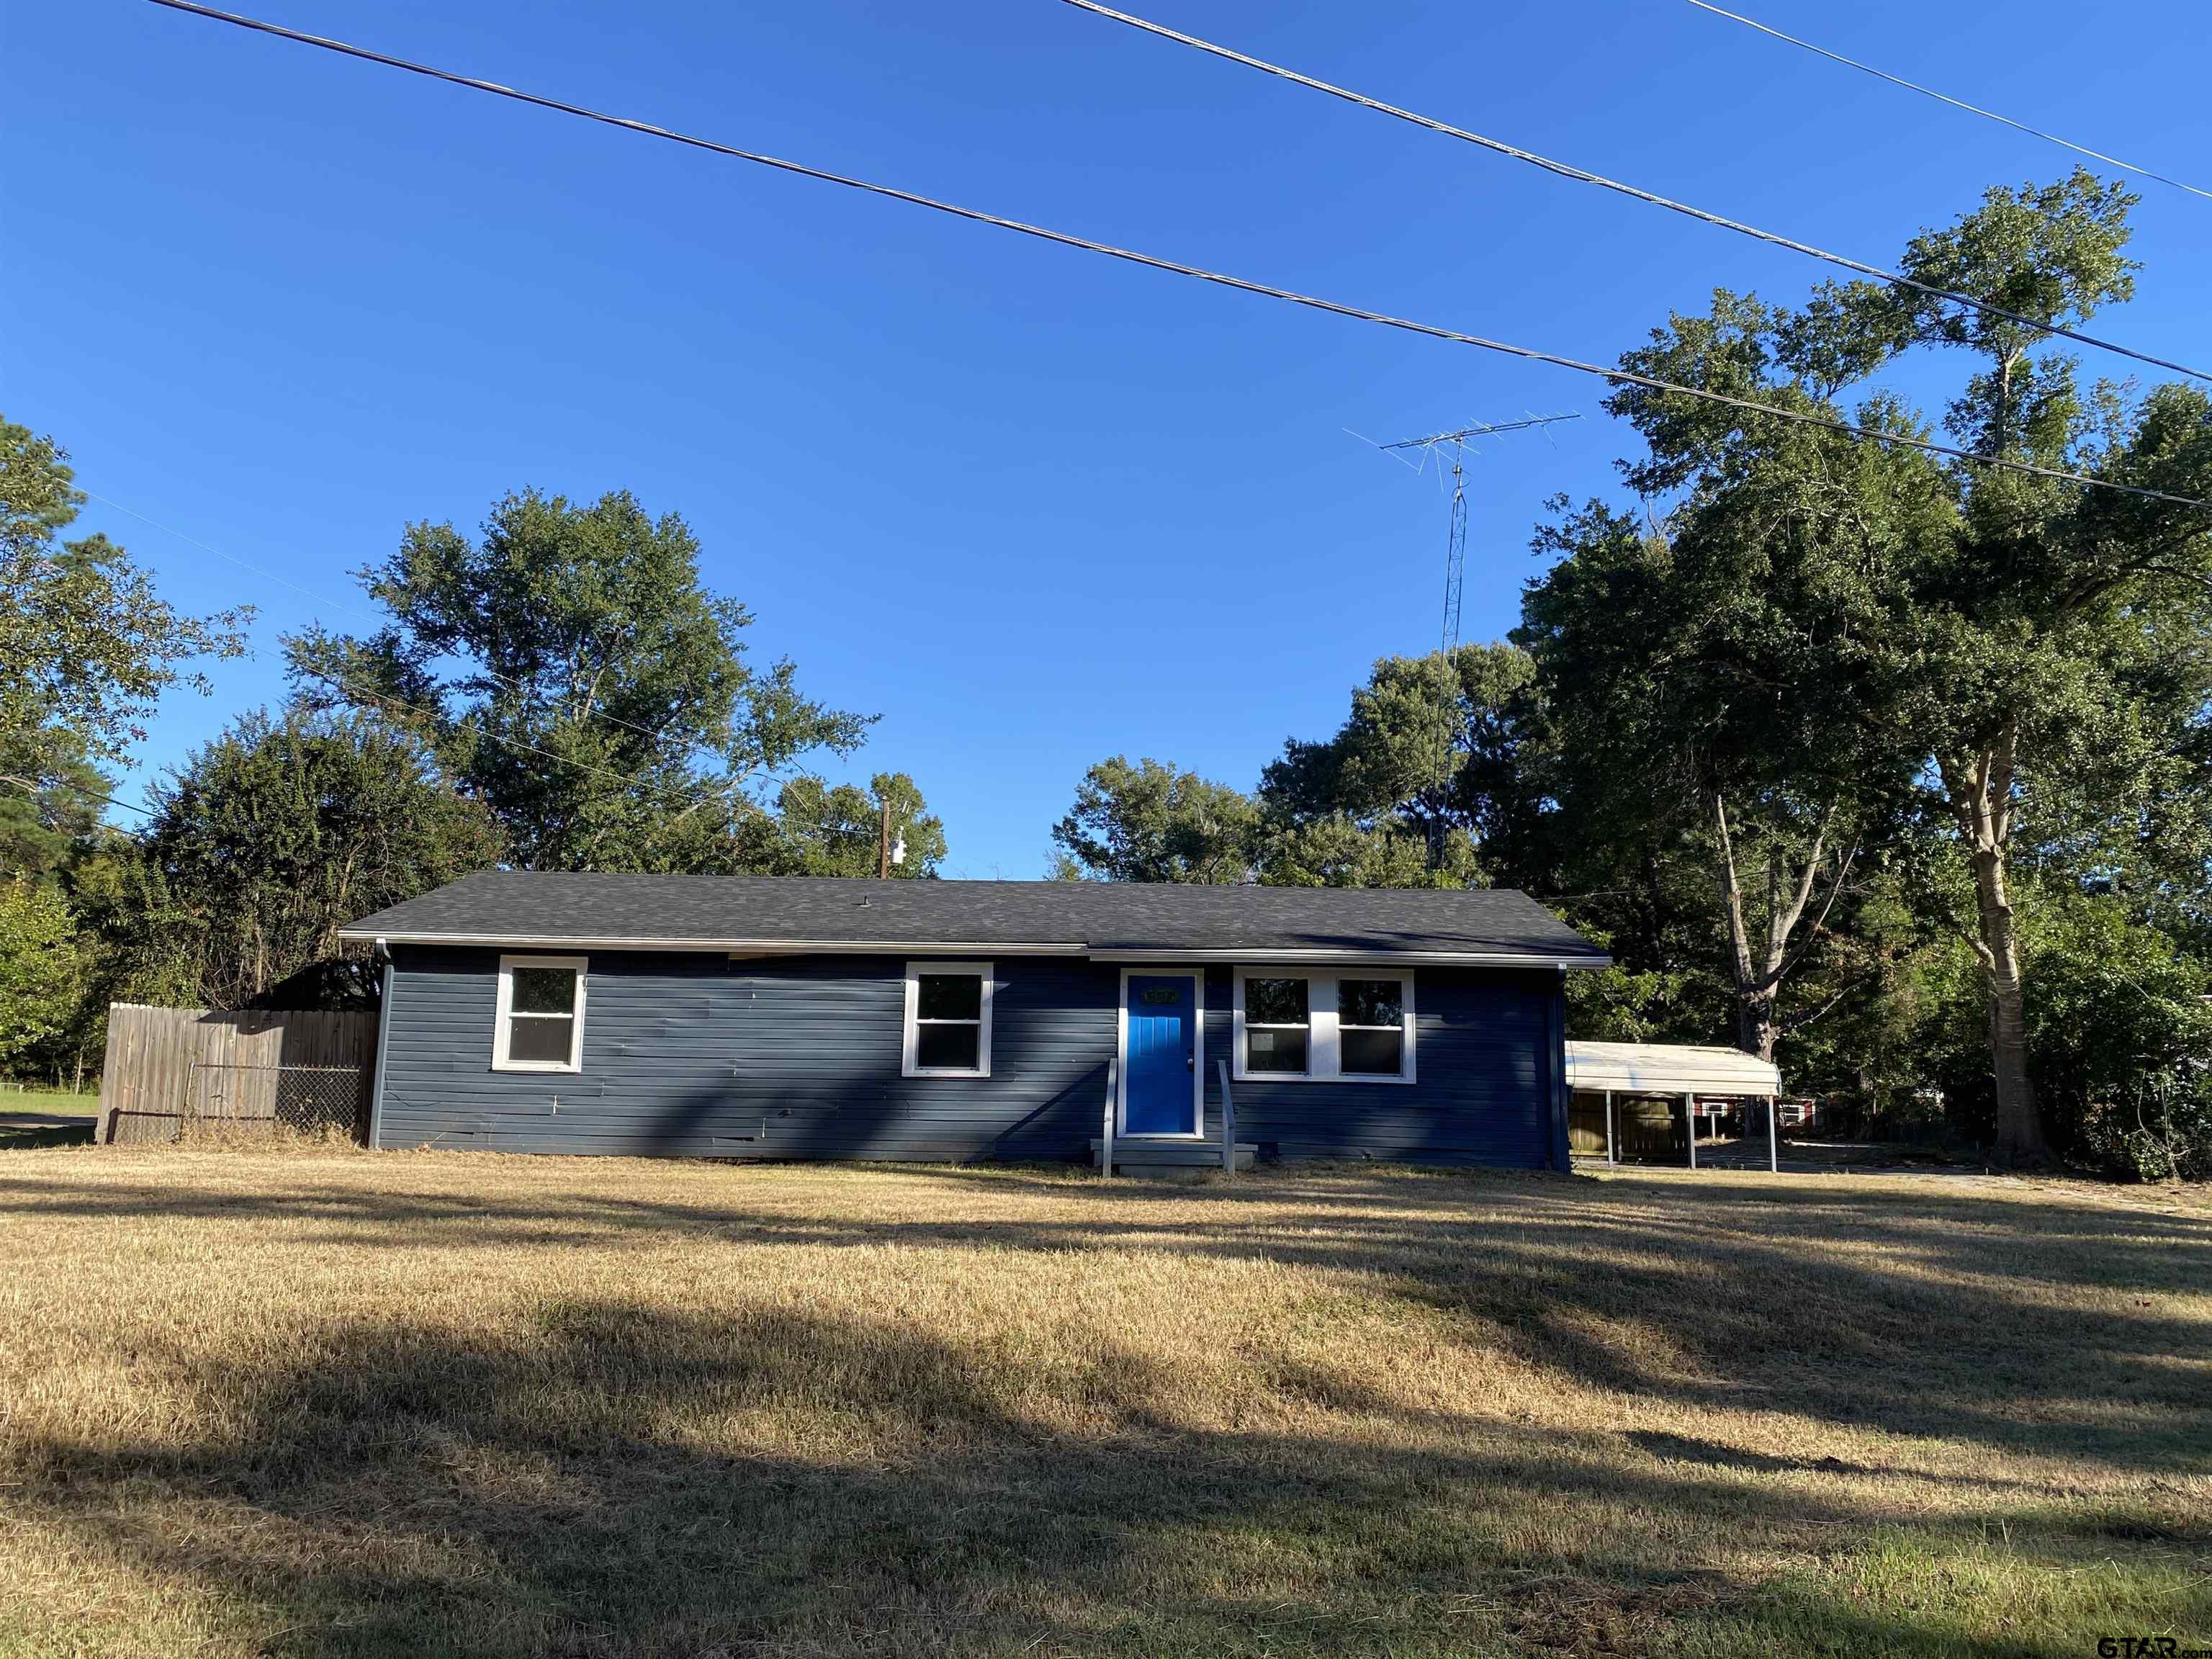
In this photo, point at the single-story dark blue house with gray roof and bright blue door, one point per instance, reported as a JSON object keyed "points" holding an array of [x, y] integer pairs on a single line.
{"points": [[808, 1019]]}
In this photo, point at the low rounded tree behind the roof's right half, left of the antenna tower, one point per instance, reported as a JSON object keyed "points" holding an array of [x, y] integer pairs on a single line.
{"points": [[1154, 822]]}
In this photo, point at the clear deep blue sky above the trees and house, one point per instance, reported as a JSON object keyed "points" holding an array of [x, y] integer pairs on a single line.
{"points": [[1030, 505]]}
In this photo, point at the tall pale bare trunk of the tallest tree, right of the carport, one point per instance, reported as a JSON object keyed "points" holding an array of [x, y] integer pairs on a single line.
{"points": [[1983, 802]]}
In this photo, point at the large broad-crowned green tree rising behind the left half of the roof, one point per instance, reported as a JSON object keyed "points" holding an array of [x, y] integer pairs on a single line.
{"points": [[576, 676]]}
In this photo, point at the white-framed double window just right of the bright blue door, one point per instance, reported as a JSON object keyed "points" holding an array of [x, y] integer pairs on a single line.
{"points": [[1342, 1025]]}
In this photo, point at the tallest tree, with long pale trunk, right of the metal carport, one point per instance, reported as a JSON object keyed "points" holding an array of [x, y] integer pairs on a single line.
{"points": [[2010, 643]]}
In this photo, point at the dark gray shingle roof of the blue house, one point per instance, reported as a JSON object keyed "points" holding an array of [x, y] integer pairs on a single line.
{"points": [[523, 908]]}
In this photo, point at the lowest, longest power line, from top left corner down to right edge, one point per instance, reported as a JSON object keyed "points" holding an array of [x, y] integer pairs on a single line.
{"points": [[1173, 267]]}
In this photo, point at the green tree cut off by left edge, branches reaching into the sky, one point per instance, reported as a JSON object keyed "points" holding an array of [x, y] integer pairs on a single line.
{"points": [[87, 645]]}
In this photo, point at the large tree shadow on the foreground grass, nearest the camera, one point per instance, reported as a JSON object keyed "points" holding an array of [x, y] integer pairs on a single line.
{"points": [[620, 1481]]}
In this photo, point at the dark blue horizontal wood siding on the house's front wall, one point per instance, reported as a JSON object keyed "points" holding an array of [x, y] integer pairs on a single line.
{"points": [[691, 1054]]}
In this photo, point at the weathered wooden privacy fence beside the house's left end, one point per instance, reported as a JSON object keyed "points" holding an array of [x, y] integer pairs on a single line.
{"points": [[176, 1070]]}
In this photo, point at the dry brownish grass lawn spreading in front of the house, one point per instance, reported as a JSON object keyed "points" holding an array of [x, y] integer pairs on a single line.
{"points": [[437, 1404]]}
